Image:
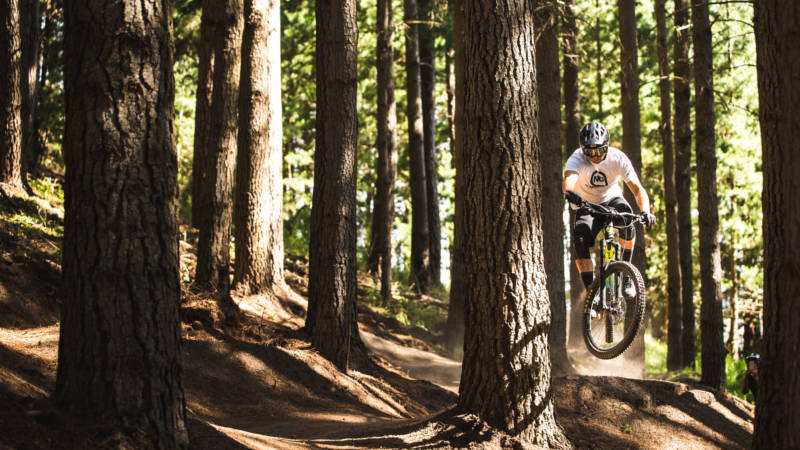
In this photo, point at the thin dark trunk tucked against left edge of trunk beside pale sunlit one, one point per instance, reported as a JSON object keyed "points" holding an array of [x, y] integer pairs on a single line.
{"points": [[202, 116]]}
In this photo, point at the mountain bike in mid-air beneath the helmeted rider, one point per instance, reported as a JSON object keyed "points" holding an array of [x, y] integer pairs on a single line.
{"points": [[612, 319]]}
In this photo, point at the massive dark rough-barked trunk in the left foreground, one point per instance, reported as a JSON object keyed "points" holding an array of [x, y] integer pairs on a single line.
{"points": [[119, 348]]}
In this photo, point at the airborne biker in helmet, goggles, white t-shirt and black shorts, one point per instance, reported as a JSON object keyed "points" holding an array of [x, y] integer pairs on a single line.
{"points": [[592, 172]]}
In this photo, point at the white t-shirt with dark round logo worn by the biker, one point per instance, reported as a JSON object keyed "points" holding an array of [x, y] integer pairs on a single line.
{"points": [[599, 183]]}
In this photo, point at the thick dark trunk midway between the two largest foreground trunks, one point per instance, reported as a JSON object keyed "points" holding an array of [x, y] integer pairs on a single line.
{"points": [[332, 249]]}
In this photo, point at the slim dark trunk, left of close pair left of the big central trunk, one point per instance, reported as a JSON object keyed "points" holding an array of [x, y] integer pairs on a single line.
{"points": [[420, 235]]}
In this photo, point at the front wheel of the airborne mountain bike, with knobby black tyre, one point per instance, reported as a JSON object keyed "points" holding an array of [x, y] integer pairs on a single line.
{"points": [[609, 329]]}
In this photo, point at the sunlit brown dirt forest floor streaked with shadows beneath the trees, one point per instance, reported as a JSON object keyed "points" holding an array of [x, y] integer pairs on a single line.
{"points": [[254, 382]]}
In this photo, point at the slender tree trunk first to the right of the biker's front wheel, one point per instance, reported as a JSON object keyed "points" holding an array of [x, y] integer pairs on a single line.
{"points": [[673, 257]]}
